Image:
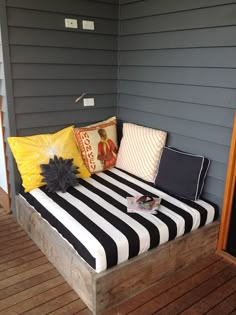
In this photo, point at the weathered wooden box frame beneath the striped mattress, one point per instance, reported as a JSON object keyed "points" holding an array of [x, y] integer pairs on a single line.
{"points": [[101, 291]]}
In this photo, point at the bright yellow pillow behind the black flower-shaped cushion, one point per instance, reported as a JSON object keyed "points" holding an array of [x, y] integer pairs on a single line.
{"points": [[31, 152]]}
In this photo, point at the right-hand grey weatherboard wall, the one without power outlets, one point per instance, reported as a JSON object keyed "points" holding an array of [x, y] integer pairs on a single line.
{"points": [[177, 72]]}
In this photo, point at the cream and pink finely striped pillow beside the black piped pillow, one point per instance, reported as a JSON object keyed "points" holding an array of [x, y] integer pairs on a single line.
{"points": [[140, 151]]}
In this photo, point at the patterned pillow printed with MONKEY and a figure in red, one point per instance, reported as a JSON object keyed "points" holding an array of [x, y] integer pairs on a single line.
{"points": [[98, 145]]}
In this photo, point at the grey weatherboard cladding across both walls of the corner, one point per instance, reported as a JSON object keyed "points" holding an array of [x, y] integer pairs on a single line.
{"points": [[177, 70]]}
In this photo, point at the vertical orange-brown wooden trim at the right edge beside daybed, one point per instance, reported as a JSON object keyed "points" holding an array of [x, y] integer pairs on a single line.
{"points": [[228, 194]]}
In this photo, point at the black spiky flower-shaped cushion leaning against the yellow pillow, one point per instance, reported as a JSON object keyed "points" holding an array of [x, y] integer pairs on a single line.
{"points": [[59, 174]]}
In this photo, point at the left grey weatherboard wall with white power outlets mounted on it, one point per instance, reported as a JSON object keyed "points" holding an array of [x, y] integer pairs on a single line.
{"points": [[51, 65]]}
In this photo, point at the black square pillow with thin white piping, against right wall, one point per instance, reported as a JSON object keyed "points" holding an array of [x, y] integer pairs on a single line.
{"points": [[181, 174]]}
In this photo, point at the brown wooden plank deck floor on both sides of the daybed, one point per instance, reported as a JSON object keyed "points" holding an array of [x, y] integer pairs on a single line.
{"points": [[30, 285]]}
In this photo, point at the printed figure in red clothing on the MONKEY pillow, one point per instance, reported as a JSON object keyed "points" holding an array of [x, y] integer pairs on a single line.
{"points": [[107, 150]]}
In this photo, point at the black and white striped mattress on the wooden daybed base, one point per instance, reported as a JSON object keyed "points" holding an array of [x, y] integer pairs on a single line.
{"points": [[93, 217]]}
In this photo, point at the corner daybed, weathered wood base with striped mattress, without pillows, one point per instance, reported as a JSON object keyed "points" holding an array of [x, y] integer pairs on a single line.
{"points": [[106, 254]]}
